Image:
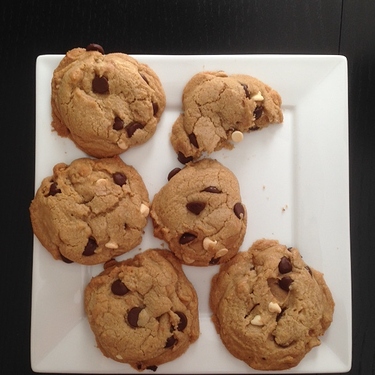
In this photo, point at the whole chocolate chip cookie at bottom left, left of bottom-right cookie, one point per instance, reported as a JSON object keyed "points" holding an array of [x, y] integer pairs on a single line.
{"points": [[143, 311]]}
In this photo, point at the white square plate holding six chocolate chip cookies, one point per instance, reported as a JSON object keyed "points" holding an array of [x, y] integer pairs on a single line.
{"points": [[294, 182]]}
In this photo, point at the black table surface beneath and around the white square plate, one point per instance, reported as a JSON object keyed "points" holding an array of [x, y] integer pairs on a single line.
{"points": [[32, 28]]}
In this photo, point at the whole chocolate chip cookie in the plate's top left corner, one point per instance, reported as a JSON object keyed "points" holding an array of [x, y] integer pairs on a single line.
{"points": [[105, 103]]}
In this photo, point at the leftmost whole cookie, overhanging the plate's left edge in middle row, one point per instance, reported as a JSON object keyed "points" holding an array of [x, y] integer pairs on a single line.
{"points": [[91, 210]]}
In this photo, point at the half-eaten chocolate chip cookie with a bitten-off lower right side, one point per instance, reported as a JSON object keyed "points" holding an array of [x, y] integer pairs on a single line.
{"points": [[218, 110]]}
